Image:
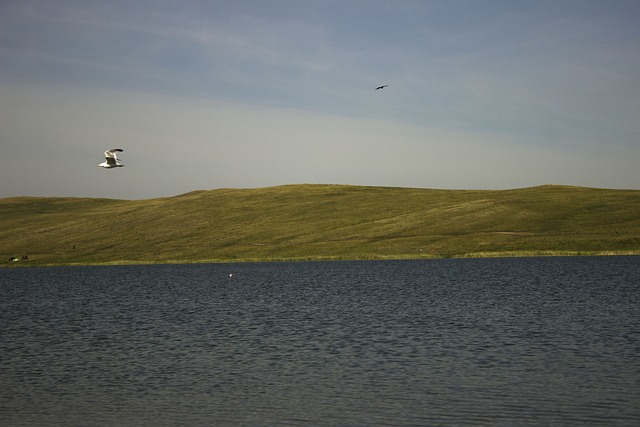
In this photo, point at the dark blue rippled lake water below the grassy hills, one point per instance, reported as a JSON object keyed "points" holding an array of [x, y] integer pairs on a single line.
{"points": [[528, 341]]}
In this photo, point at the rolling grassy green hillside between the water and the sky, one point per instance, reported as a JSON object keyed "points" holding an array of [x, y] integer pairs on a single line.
{"points": [[314, 222]]}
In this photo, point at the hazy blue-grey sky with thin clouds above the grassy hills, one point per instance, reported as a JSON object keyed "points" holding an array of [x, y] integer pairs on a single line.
{"points": [[206, 94]]}
